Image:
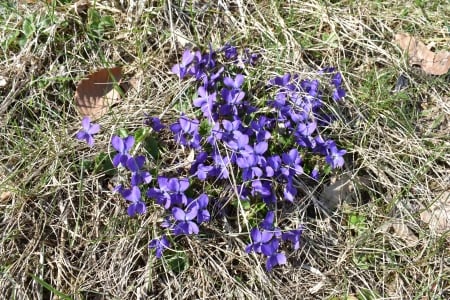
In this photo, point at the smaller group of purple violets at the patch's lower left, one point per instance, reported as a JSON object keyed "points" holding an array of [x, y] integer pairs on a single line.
{"points": [[186, 214]]}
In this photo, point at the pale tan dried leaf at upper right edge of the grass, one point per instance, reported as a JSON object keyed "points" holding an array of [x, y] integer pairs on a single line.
{"points": [[419, 54]]}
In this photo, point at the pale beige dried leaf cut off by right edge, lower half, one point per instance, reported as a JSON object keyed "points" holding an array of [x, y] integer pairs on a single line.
{"points": [[438, 215]]}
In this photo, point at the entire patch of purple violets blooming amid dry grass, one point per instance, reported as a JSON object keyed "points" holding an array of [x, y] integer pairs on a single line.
{"points": [[263, 145]]}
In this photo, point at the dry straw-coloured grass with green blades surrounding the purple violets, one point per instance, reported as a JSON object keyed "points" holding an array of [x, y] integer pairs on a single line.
{"points": [[60, 221]]}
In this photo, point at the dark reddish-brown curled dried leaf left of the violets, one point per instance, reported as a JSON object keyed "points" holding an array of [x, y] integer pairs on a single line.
{"points": [[95, 94]]}
